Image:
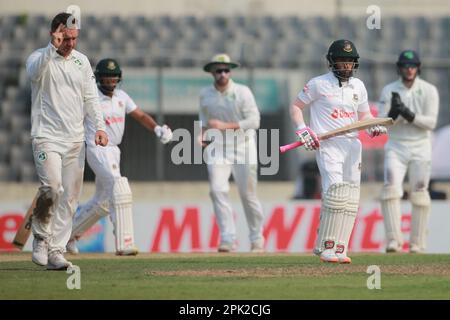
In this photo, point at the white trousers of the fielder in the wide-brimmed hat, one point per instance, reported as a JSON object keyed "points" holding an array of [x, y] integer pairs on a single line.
{"points": [[245, 176]]}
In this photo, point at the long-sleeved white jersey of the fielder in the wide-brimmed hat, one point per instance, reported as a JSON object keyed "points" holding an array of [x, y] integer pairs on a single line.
{"points": [[235, 104]]}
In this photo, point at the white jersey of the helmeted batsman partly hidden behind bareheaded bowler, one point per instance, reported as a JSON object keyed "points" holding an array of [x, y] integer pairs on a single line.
{"points": [[114, 111]]}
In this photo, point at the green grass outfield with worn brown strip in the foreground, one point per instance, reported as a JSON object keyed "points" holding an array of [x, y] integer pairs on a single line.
{"points": [[228, 276]]}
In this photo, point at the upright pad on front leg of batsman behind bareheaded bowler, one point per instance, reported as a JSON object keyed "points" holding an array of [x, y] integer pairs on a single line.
{"points": [[123, 205]]}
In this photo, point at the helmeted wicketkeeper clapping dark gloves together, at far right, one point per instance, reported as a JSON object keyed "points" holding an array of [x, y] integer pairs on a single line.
{"points": [[414, 105]]}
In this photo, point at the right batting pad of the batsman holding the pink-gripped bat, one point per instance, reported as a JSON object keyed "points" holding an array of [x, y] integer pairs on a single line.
{"points": [[349, 217]]}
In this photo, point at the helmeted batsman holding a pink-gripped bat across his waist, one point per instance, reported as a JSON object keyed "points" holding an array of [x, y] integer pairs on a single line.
{"points": [[335, 99]]}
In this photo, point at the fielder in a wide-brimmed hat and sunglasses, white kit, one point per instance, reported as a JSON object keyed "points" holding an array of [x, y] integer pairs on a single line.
{"points": [[231, 108]]}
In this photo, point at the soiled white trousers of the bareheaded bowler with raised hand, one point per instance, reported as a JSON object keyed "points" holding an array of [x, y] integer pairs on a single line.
{"points": [[60, 167]]}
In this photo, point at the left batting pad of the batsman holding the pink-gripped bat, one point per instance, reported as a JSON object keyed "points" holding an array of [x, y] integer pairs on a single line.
{"points": [[334, 203]]}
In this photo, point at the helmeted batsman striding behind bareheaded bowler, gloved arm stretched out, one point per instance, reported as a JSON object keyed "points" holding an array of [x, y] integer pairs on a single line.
{"points": [[112, 194]]}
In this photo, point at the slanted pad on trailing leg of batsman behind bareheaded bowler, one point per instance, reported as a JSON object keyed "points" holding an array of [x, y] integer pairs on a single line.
{"points": [[87, 217]]}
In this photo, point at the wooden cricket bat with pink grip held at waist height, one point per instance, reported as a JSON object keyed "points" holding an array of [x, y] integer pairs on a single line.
{"points": [[359, 125]]}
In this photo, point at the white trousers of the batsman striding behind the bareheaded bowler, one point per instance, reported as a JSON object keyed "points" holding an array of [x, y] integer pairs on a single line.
{"points": [[105, 163]]}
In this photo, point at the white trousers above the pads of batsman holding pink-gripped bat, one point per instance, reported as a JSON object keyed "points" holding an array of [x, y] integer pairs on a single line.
{"points": [[339, 160]]}
